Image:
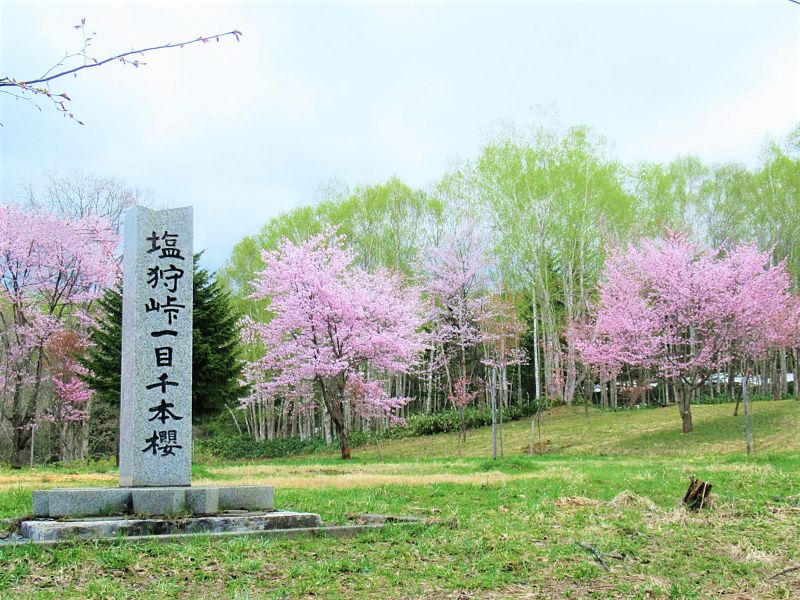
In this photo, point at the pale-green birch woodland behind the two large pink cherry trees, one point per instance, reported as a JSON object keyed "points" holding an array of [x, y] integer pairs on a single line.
{"points": [[509, 248]]}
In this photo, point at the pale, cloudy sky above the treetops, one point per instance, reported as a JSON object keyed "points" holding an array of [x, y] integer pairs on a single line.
{"points": [[360, 92]]}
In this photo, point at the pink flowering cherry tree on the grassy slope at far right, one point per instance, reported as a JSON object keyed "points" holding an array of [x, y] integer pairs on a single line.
{"points": [[682, 311]]}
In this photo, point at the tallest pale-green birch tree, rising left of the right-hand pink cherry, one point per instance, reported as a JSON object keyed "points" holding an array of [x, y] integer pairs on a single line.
{"points": [[553, 200]]}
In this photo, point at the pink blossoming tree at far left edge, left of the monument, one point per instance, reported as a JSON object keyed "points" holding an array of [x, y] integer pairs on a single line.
{"points": [[50, 268]]}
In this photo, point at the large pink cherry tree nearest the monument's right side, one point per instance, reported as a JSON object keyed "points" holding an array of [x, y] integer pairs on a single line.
{"points": [[335, 327]]}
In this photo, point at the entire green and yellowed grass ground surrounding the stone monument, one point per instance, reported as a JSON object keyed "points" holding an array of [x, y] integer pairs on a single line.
{"points": [[526, 525]]}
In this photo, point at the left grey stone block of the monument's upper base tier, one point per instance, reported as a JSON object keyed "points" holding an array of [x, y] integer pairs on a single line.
{"points": [[81, 502]]}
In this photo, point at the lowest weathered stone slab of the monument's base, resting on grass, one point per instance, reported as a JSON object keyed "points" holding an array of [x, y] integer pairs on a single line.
{"points": [[122, 527]]}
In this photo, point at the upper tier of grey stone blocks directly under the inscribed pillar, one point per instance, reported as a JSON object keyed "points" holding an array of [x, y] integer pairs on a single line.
{"points": [[197, 500]]}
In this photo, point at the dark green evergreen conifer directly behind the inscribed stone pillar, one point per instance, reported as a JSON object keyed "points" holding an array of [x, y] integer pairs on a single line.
{"points": [[216, 362]]}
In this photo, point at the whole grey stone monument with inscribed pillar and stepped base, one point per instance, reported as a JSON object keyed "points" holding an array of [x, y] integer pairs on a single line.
{"points": [[156, 405]]}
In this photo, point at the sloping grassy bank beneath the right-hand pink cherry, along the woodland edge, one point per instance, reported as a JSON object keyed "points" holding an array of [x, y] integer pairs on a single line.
{"points": [[646, 432]]}
